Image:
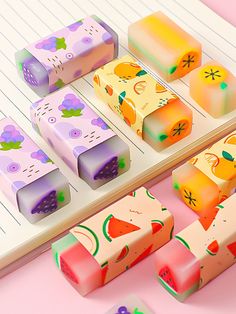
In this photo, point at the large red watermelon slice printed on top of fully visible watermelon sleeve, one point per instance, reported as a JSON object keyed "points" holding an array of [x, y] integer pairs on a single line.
{"points": [[114, 228]]}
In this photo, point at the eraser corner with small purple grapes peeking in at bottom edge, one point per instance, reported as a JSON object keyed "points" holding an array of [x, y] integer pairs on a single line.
{"points": [[130, 305]]}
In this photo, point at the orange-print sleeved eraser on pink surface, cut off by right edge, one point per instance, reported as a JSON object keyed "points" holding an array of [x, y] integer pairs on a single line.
{"points": [[209, 177]]}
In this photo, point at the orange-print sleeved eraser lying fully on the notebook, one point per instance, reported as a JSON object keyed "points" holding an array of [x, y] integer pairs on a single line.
{"points": [[156, 114]]}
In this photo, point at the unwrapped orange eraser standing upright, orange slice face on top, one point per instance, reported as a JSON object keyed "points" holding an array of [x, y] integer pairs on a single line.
{"points": [[213, 87]]}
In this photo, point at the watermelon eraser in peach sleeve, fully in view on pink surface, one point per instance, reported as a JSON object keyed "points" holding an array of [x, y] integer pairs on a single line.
{"points": [[112, 241]]}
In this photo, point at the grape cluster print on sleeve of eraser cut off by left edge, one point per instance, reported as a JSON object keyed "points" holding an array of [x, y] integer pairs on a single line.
{"points": [[10, 138]]}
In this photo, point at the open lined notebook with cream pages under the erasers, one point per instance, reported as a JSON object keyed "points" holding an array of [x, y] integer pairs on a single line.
{"points": [[22, 22]]}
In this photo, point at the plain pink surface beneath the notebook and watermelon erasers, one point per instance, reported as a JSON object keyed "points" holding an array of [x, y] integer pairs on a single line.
{"points": [[39, 288]]}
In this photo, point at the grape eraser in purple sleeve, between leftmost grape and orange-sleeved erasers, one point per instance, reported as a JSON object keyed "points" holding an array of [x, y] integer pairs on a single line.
{"points": [[80, 137]]}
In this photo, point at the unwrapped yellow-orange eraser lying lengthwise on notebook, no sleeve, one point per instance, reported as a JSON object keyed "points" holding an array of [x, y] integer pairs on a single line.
{"points": [[164, 46]]}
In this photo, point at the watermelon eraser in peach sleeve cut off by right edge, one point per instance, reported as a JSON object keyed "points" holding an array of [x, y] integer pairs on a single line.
{"points": [[200, 252]]}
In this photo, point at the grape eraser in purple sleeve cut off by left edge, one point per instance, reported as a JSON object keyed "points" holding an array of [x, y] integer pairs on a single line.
{"points": [[28, 177]]}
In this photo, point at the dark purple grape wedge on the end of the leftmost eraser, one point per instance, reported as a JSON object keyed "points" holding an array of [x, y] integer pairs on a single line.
{"points": [[46, 204]]}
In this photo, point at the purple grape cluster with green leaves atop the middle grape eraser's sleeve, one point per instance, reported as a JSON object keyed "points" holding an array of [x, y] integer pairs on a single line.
{"points": [[71, 106]]}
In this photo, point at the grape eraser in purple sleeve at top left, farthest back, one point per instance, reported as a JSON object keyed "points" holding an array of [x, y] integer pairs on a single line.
{"points": [[67, 54]]}
